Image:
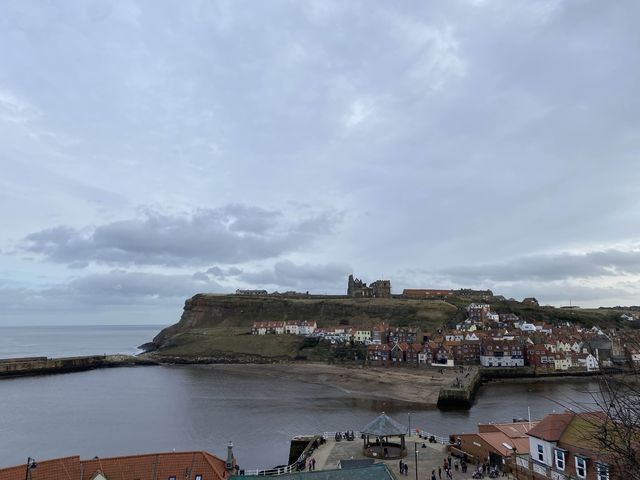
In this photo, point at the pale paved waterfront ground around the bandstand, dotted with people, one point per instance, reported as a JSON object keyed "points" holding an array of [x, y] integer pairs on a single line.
{"points": [[430, 457]]}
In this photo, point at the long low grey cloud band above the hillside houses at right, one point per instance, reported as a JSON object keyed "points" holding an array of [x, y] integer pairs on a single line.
{"points": [[550, 267]]}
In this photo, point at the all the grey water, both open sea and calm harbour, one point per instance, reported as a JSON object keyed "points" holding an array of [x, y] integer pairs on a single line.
{"points": [[133, 410]]}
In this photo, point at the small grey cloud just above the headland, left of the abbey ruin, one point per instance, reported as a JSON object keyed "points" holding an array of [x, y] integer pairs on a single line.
{"points": [[287, 274]]}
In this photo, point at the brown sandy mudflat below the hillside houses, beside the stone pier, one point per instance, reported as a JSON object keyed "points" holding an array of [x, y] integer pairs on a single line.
{"points": [[418, 386]]}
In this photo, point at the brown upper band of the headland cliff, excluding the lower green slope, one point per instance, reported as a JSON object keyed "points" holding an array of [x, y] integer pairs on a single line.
{"points": [[210, 311]]}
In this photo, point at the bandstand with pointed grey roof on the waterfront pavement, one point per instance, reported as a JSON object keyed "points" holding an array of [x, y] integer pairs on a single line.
{"points": [[376, 438]]}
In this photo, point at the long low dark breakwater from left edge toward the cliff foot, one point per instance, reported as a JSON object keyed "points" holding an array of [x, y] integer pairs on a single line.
{"points": [[27, 366]]}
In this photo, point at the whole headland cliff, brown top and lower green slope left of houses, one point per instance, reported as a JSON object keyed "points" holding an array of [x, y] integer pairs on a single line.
{"points": [[232, 316]]}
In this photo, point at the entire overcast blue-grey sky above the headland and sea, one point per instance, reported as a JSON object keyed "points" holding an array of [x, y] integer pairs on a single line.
{"points": [[152, 150]]}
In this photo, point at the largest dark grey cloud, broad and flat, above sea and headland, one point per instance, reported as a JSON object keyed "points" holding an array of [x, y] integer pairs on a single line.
{"points": [[230, 234]]}
